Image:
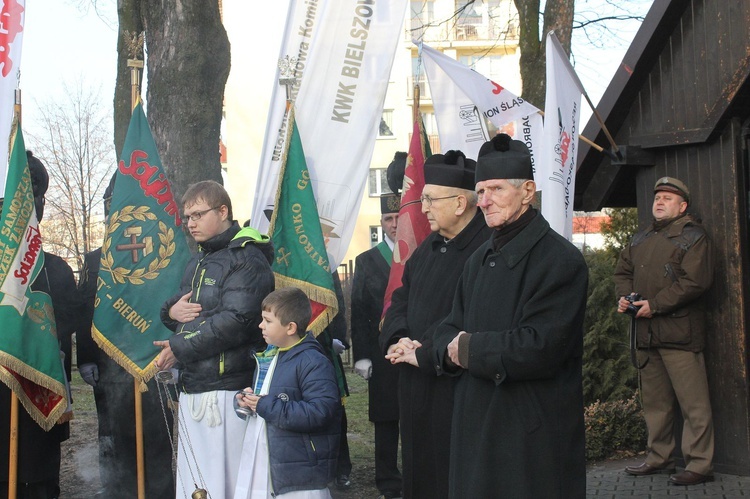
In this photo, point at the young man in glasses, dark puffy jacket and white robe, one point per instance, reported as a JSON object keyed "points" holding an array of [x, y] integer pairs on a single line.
{"points": [[215, 316]]}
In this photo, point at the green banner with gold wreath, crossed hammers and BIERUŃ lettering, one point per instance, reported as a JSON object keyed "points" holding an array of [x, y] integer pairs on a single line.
{"points": [[143, 255]]}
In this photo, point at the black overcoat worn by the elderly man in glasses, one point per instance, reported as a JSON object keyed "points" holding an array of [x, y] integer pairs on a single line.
{"points": [[426, 399]]}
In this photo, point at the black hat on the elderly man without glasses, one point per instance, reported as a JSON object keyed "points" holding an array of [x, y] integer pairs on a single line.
{"points": [[503, 157]]}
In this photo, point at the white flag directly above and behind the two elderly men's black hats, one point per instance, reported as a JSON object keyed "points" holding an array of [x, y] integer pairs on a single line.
{"points": [[462, 97]]}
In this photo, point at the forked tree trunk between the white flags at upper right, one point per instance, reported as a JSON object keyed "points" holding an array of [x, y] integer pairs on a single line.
{"points": [[558, 16]]}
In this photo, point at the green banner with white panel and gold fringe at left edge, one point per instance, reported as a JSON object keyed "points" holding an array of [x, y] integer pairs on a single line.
{"points": [[29, 350]]}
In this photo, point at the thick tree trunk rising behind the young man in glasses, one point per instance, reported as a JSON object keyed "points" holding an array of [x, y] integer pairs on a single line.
{"points": [[188, 65]]}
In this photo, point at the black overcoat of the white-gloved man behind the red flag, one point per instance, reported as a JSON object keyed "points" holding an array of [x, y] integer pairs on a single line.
{"points": [[370, 280]]}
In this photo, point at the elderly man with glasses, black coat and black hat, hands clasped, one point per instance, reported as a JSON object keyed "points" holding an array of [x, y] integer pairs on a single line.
{"points": [[418, 307]]}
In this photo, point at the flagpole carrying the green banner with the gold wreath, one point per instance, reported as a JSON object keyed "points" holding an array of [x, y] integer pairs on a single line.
{"points": [[135, 46]]}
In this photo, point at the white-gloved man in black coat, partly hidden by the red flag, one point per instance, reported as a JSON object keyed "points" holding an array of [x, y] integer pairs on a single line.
{"points": [[371, 271]]}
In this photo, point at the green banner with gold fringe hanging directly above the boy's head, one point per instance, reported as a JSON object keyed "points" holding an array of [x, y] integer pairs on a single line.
{"points": [[301, 258]]}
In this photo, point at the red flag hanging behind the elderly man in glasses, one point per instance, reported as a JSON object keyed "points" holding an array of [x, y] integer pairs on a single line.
{"points": [[413, 226]]}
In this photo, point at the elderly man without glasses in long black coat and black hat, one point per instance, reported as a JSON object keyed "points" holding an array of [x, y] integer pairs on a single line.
{"points": [[514, 338]]}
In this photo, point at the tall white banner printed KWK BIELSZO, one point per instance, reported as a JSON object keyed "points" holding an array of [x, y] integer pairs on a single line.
{"points": [[342, 52]]}
